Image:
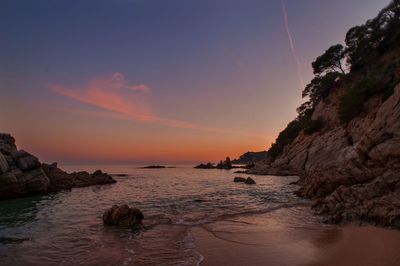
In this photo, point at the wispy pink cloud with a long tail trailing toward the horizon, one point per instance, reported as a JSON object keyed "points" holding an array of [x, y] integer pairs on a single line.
{"points": [[120, 100]]}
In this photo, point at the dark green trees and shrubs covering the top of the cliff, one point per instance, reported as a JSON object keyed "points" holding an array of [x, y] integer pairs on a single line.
{"points": [[365, 44]]}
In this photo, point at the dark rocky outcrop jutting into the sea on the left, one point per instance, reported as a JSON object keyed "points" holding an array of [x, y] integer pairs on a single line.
{"points": [[22, 174]]}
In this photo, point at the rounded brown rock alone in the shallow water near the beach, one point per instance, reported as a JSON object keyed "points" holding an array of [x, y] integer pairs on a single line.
{"points": [[123, 216]]}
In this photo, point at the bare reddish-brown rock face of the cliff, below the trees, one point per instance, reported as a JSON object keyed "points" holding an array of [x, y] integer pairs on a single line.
{"points": [[352, 172]]}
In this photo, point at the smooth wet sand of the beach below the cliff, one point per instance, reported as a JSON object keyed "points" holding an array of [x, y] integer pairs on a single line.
{"points": [[264, 240]]}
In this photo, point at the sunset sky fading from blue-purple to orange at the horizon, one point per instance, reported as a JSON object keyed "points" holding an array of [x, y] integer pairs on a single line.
{"points": [[148, 81]]}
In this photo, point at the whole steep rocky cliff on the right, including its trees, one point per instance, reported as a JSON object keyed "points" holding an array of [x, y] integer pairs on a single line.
{"points": [[350, 163]]}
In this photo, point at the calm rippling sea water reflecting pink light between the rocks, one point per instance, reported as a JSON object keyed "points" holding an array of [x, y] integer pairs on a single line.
{"points": [[66, 228]]}
